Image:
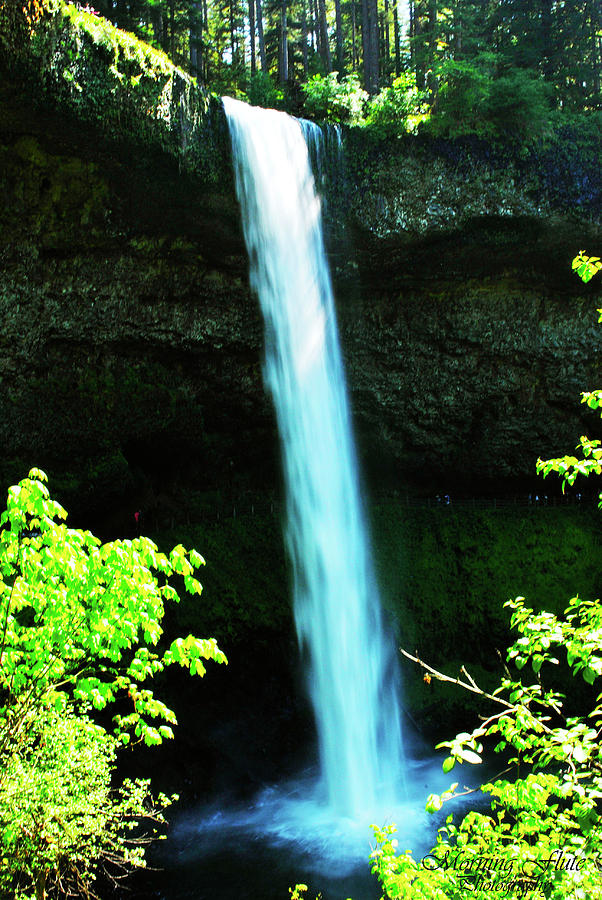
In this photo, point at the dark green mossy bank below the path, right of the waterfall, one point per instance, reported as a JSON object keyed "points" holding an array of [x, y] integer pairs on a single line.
{"points": [[446, 572]]}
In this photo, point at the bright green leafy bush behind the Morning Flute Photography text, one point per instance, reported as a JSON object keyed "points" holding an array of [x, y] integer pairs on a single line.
{"points": [[543, 831]]}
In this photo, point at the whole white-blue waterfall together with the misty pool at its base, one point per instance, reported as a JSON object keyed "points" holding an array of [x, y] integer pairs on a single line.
{"points": [[318, 822]]}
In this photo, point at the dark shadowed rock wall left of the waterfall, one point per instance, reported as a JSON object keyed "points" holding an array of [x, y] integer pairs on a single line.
{"points": [[130, 345]]}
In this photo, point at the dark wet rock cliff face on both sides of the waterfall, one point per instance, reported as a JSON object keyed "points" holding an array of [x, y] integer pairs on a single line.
{"points": [[131, 346]]}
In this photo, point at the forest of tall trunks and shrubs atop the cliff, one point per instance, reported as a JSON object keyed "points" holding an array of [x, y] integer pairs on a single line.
{"points": [[454, 58]]}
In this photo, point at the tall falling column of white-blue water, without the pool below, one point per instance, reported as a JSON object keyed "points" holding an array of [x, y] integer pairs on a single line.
{"points": [[350, 660]]}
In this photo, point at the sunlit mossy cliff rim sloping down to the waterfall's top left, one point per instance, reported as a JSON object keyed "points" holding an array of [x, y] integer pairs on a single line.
{"points": [[110, 77]]}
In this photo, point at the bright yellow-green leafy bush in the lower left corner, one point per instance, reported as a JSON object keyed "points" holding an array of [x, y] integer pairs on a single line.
{"points": [[80, 625]]}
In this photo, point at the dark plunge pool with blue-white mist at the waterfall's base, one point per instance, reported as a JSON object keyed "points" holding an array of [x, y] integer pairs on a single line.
{"points": [[286, 835]]}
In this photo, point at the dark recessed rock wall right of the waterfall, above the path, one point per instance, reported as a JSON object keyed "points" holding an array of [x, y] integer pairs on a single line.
{"points": [[467, 352]]}
